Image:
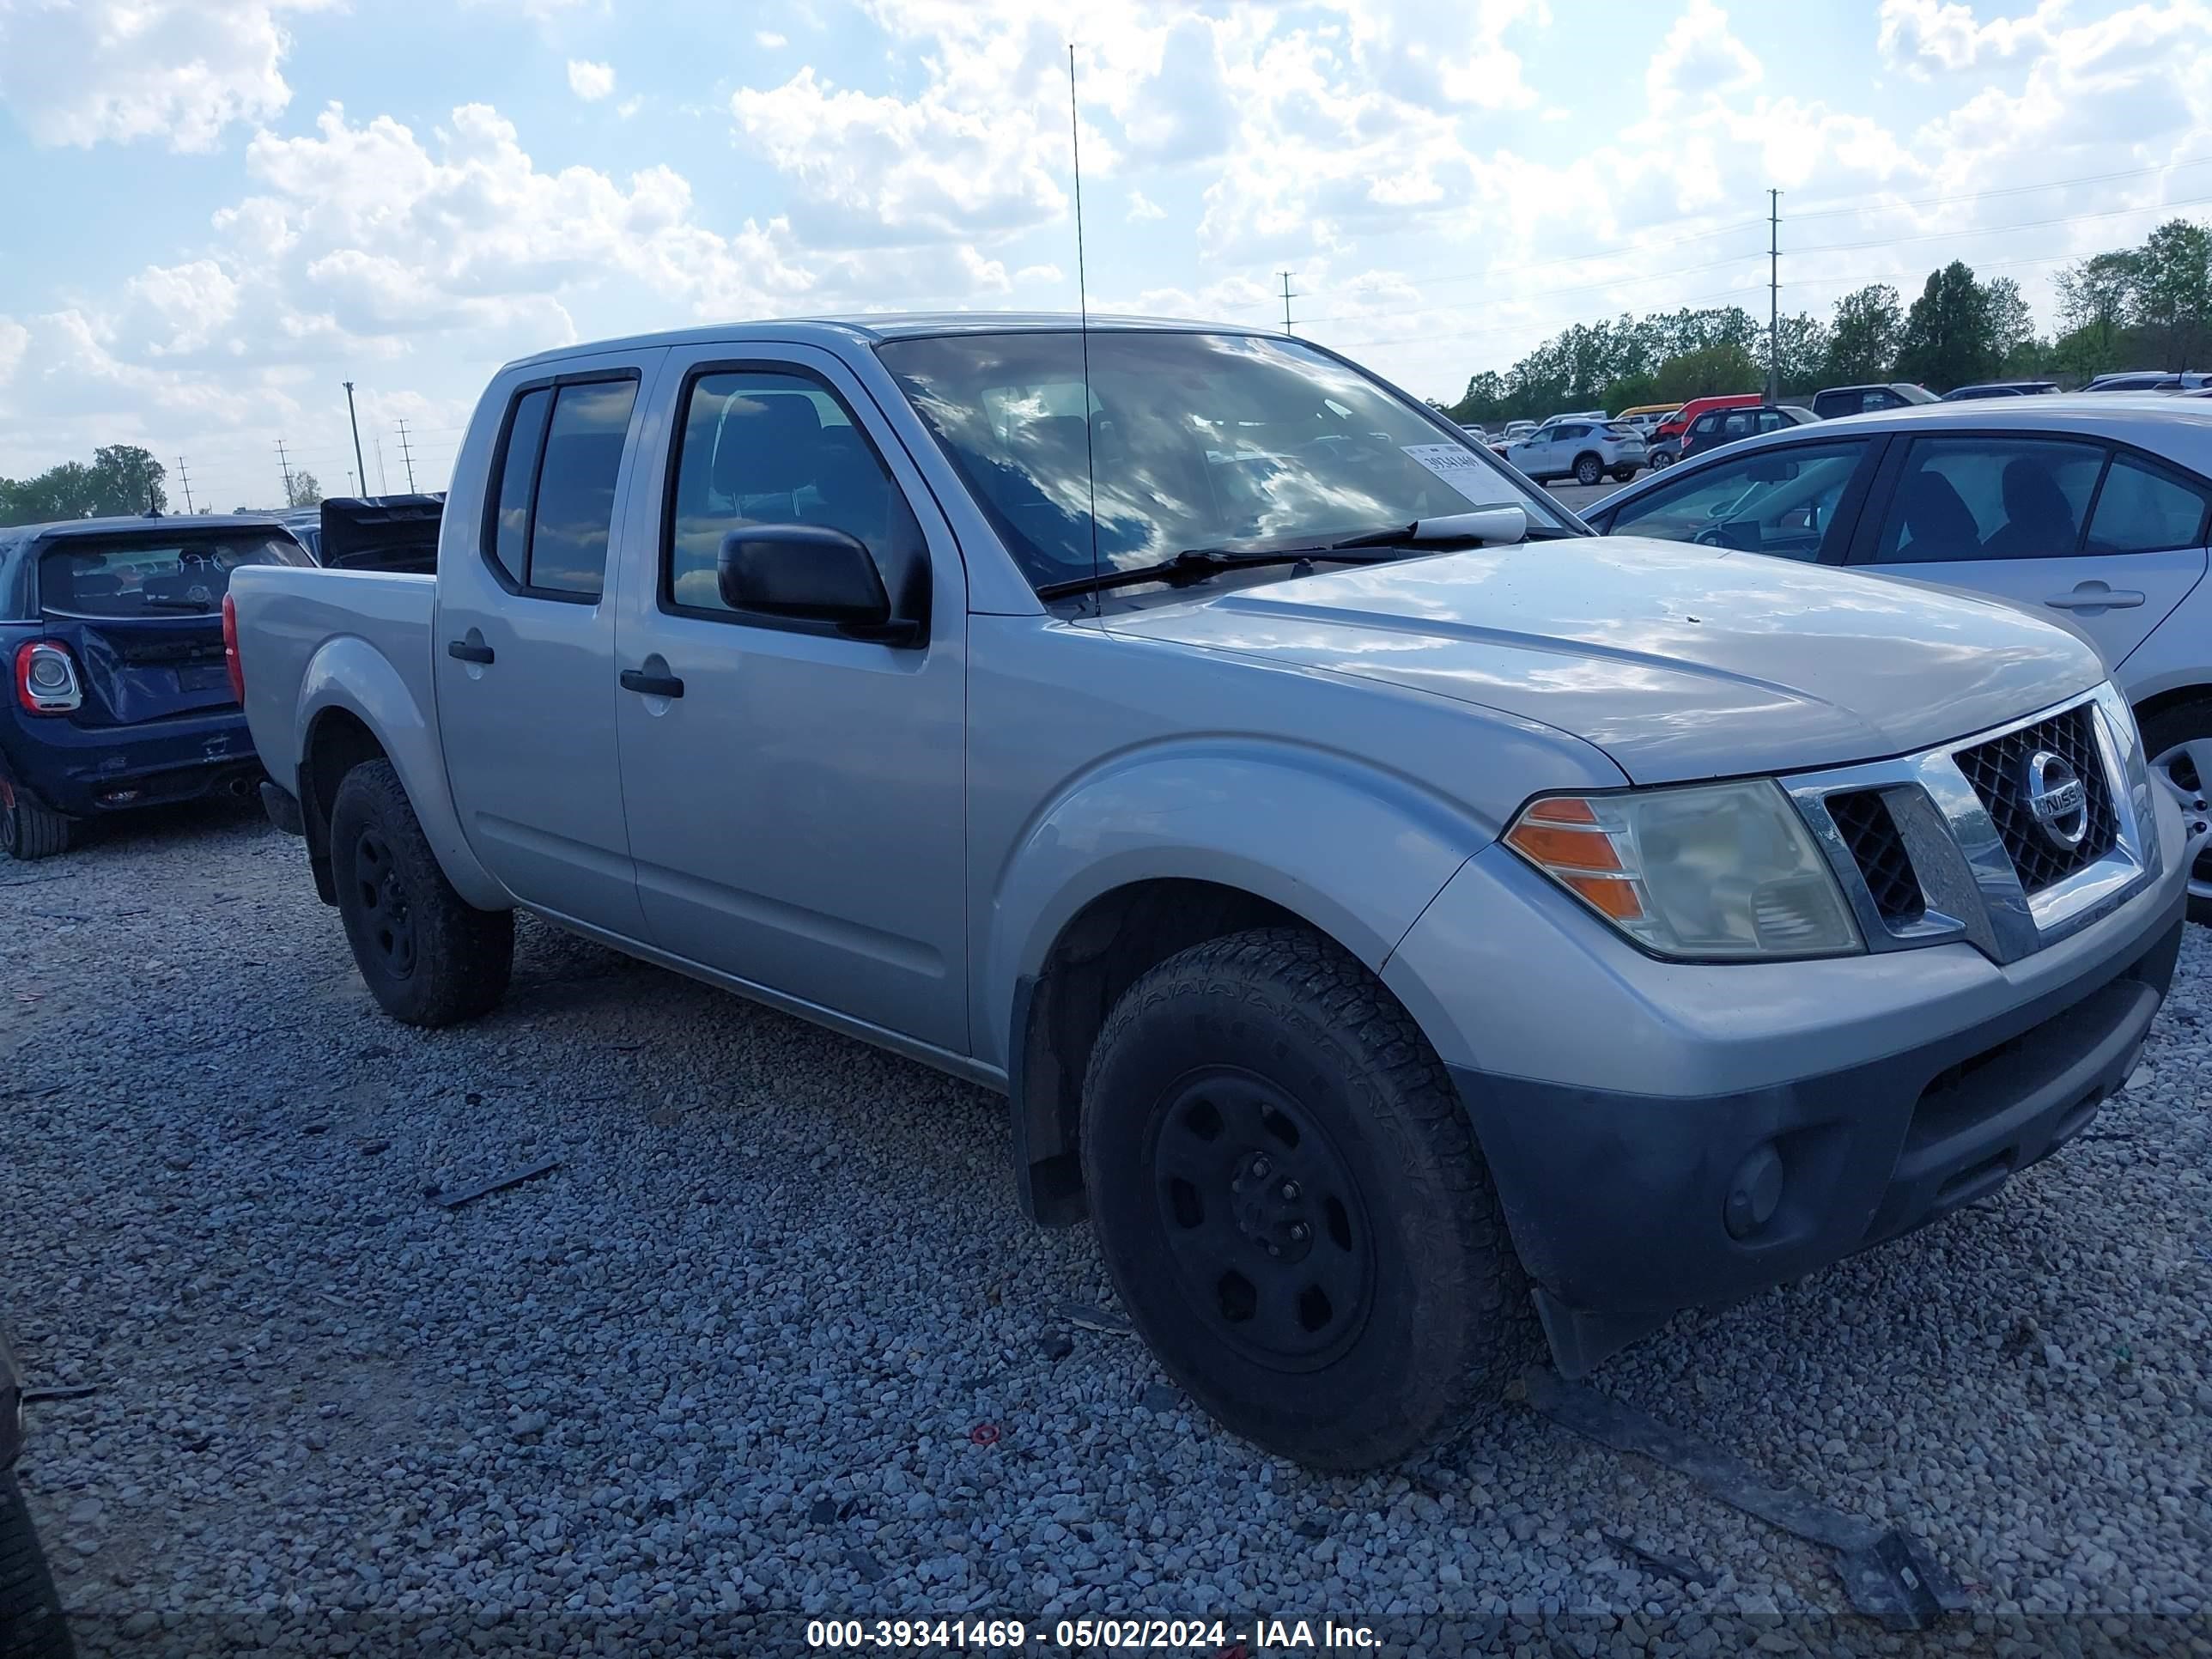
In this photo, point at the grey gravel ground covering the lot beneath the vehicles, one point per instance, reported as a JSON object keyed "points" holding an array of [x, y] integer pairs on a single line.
{"points": [[740, 1357]]}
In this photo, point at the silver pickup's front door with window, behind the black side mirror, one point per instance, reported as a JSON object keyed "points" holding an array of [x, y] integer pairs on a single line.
{"points": [[797, 813]]}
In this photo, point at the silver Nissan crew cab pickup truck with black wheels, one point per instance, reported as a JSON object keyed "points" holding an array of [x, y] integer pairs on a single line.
{"points": [[1399, 919]]}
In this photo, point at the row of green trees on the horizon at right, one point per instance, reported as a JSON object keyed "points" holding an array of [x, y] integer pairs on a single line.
{"points": [[2131, 309]]}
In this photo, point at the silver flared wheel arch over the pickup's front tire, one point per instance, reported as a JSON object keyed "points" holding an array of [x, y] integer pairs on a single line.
{"points": [[1350, 848]]}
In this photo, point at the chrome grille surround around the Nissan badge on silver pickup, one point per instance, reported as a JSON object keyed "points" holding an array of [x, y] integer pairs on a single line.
{"points": [[1970, 881]]}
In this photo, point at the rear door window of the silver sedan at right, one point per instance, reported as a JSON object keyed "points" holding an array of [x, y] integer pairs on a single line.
{"points": [[1990, 499]]}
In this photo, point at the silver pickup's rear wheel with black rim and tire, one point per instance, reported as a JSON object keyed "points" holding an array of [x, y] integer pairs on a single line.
{"points": [[428, 957]]}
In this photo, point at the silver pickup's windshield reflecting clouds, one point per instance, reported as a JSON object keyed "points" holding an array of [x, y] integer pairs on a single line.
{"points": [[1196, 441]]}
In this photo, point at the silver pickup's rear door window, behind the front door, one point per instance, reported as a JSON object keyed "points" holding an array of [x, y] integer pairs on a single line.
{"points": [[552, 508]]}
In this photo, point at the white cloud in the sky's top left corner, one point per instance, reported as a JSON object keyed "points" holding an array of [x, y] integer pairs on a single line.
{"points": [[132, 70]]}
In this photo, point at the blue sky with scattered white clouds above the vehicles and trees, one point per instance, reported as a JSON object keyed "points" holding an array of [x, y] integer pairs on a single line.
{"points": [[222, 209]]}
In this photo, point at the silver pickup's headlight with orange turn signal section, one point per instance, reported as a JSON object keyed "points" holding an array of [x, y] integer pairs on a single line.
{"points": [[1722, 870]]}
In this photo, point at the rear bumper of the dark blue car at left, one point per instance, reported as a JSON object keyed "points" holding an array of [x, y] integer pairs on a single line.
{"points": [[90, 771]]}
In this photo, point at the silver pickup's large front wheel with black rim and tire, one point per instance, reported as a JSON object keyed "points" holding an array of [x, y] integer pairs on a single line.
{"points": [[1293, 1207]]}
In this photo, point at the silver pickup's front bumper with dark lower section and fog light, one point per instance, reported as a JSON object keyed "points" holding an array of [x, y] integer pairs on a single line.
{"points": [[1676, 1136]]}
